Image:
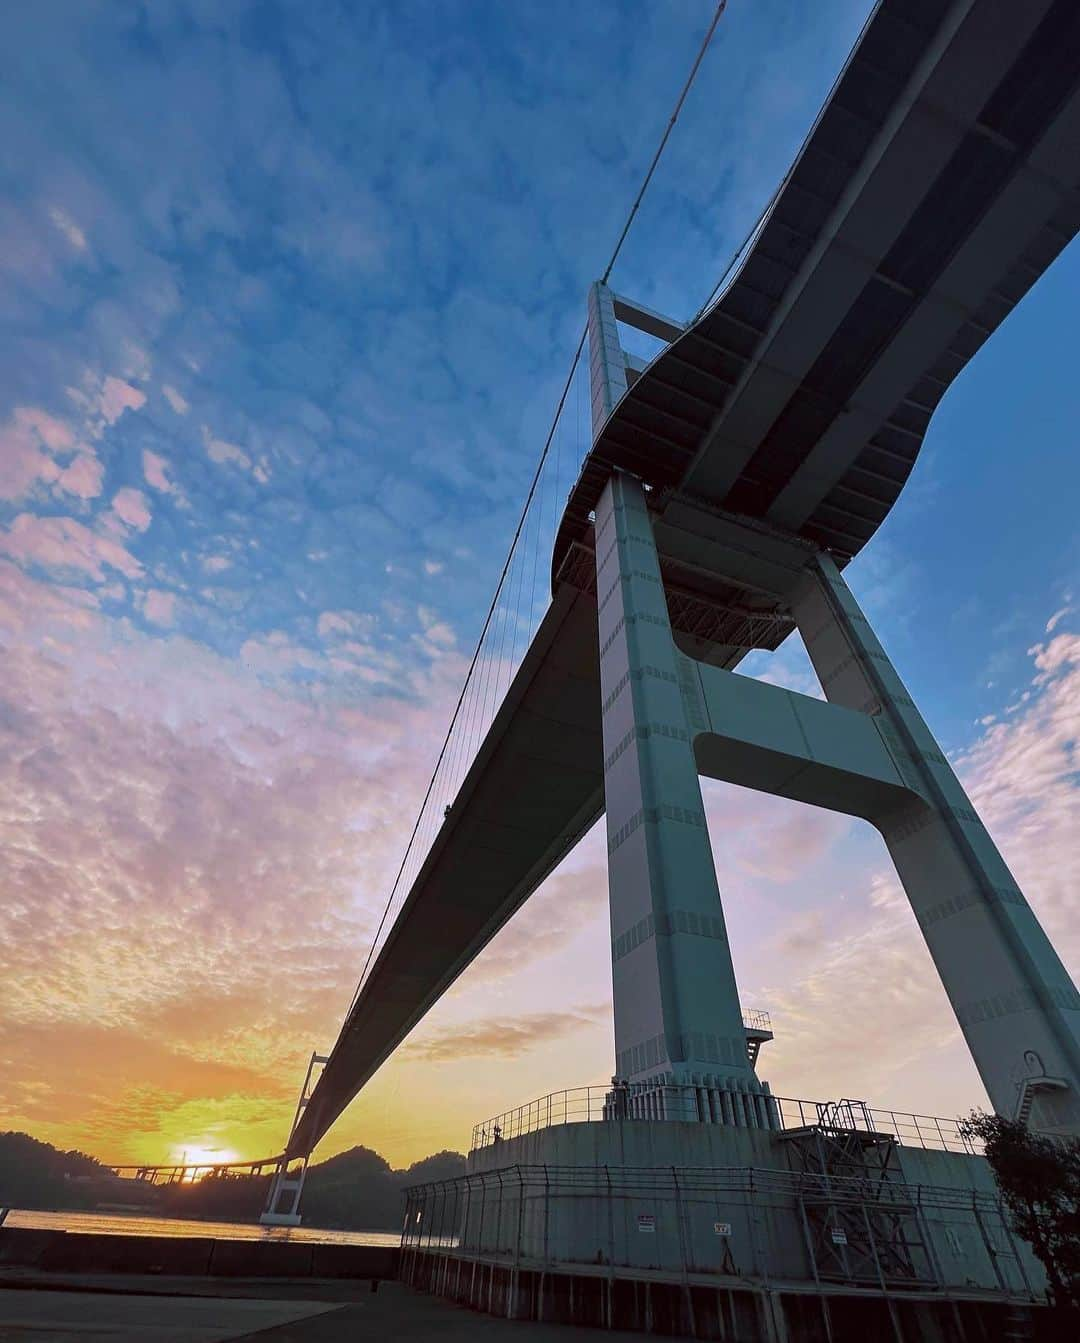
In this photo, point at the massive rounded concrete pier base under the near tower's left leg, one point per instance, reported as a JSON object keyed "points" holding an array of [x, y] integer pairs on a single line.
{"points": [[726, 1234]]}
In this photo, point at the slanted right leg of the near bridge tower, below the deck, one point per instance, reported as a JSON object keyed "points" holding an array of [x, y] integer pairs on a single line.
{"points": [[1018, 1008]]}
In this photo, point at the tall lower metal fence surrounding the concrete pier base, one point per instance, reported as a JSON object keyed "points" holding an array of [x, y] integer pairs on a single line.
{"points": [[737, 1225]]}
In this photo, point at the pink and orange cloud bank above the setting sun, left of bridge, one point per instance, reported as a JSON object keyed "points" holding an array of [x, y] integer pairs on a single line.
{"points": [[179, 845]]}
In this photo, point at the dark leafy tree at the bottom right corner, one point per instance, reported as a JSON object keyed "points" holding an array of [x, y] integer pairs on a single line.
{"points": [[1039, 1178]]}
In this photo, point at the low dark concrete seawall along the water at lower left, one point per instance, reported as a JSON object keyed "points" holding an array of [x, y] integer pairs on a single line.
{"points": [[76, 1252]]}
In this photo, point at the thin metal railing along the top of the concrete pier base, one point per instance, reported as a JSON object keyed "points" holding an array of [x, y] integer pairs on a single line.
{"points": [[594, 1105]]}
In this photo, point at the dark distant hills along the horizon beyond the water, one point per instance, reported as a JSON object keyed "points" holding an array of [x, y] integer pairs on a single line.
{"points": [[354, 1191]]}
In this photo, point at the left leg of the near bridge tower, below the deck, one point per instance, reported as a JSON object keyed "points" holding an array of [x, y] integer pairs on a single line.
{"points": [[678, 1016]]}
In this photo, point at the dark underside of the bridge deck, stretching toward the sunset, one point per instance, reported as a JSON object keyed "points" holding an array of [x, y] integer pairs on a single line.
{"points": [[937, 187]]}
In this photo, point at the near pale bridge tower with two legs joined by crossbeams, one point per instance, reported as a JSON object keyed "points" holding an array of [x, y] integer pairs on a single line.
{"points": [[867, 751]]}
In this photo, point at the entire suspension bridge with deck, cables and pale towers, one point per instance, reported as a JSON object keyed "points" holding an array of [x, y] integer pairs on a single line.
{"points": [[705, 504]]}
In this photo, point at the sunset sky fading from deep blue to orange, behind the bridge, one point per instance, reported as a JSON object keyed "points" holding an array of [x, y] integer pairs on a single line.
{"points": [[288, 293]]}
